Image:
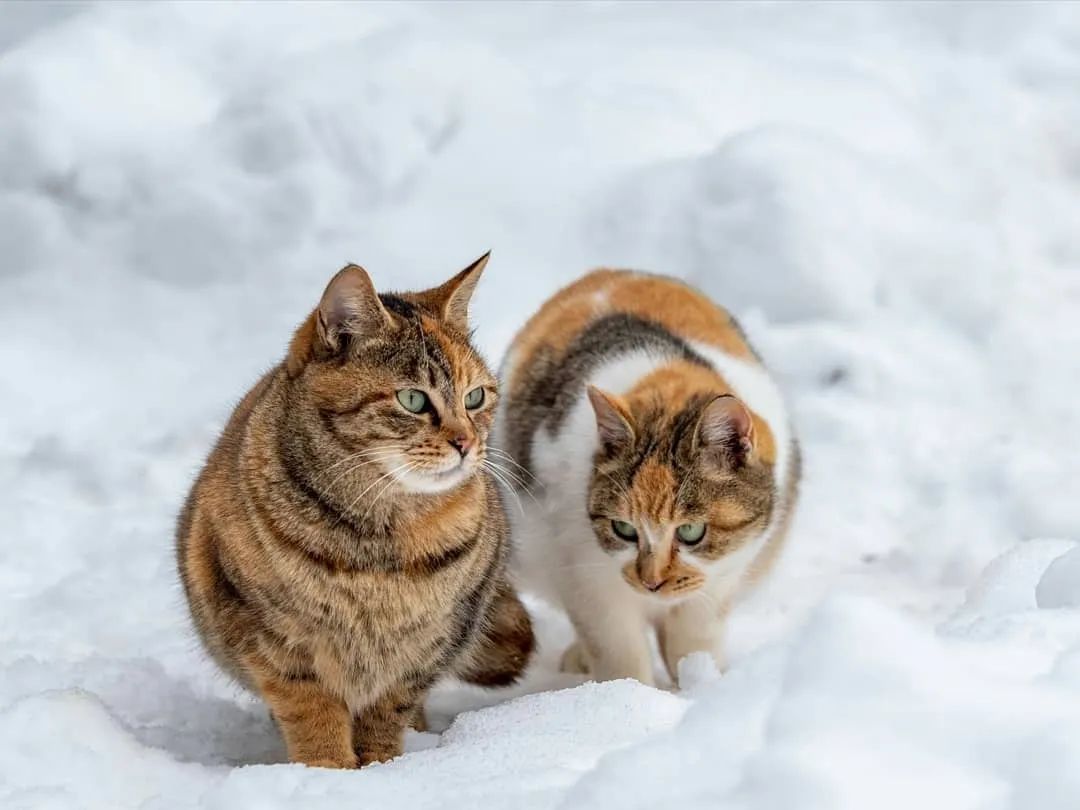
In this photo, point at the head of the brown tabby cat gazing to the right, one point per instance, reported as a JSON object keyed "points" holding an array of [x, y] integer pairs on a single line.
{"points": [[397, 383]]}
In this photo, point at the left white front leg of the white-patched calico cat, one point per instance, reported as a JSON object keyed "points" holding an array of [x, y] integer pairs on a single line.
{"points": [[613, 633]]}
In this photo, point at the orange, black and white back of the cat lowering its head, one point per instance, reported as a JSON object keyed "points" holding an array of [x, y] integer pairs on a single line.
{"points": [[614, 329]]}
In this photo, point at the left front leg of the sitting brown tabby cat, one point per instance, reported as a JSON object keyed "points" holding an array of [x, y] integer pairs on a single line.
{"points": [[317, 726]]}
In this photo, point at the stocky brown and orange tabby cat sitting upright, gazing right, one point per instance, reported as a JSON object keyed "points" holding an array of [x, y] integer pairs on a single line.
{"points": [[345, 546]]}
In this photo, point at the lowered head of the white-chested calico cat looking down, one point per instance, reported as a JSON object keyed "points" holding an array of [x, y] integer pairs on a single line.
{"points": [[678, 496]]}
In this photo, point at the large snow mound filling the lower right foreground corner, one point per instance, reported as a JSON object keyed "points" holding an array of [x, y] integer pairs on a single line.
{"points": [[863, 708]]}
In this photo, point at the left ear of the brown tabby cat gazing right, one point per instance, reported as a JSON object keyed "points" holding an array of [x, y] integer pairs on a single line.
{"points": [[349, 306]]}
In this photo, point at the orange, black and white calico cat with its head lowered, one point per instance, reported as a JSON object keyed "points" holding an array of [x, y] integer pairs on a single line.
{"points": [[661, 464]]}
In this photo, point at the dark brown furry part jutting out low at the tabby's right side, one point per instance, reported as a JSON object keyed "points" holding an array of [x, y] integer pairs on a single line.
{"points": [[504, 645]]}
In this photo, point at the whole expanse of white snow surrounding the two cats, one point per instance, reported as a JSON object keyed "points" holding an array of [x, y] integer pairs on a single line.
{"points": [[888, 196]]}
